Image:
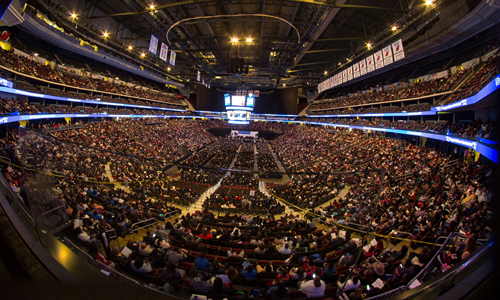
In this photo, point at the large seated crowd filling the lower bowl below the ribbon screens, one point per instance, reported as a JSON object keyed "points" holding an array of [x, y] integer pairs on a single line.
{"points": [[393, 188]]}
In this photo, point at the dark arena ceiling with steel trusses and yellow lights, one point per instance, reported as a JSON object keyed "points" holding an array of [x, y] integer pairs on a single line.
{"points": [[292, 42]]}
